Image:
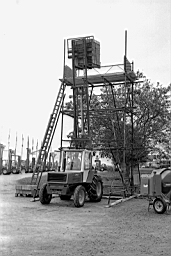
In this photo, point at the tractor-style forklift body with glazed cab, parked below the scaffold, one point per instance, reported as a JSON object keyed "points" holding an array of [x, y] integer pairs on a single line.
{"points": [[76, 178]]}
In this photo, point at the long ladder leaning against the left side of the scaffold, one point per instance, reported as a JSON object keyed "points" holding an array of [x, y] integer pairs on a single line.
{"points": [[47, 140]]}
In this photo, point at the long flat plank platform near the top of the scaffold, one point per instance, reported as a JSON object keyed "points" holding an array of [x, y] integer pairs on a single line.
{"points": [[100, 79]]}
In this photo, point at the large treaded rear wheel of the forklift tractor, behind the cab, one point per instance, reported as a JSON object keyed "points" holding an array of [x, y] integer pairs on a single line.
{"points": [[95, 191]]}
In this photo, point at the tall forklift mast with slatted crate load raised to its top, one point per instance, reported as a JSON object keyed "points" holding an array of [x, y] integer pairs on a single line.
{"points": [[85, 54]]}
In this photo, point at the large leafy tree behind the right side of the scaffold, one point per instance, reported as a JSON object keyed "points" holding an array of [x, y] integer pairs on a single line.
{"points": [[150, 117]]}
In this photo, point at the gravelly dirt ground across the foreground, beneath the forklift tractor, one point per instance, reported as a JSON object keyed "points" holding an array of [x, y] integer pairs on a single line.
{"points": [[128, 229]]}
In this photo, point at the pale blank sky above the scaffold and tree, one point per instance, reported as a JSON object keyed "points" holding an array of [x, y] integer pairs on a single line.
{"points": [[32, 34]]}
